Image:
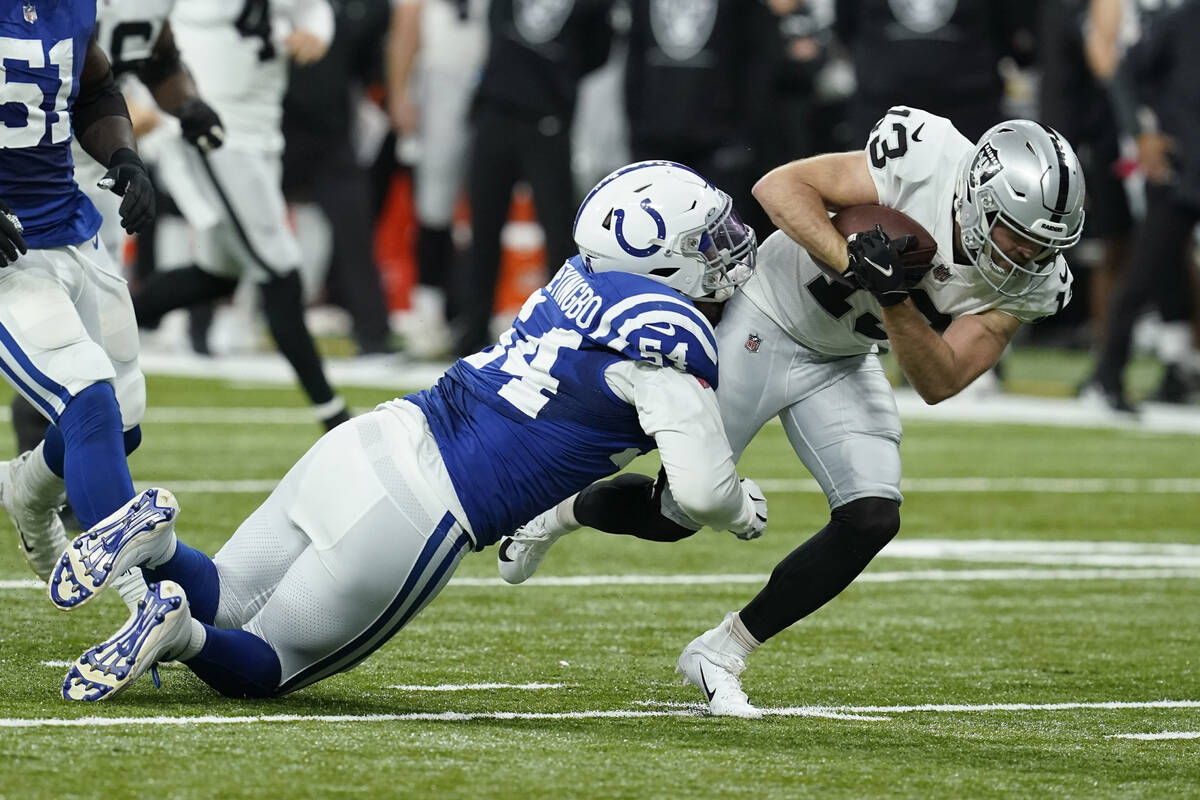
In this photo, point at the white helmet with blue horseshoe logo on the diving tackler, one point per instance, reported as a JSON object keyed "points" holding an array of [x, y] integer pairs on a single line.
{"points": [[664, 221]]}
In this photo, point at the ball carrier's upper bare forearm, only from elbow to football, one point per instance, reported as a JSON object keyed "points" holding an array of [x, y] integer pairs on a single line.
{"points": [[800, 210]]}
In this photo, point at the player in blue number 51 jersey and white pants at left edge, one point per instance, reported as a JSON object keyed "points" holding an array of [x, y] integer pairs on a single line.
{"points": [[69, 342]]}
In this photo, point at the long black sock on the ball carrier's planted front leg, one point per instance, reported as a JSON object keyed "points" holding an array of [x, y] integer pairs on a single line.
{"points": [[818, 572]]}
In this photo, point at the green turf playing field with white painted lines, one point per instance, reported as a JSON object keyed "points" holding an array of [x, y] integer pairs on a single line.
{"points": [[1003, 647]]}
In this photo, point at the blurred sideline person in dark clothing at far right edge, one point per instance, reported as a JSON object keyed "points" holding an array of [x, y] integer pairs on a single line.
{"points": [[1157, 91]]}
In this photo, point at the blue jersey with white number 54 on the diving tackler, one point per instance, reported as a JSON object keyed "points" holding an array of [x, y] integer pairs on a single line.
{"points": [[531, 420]]}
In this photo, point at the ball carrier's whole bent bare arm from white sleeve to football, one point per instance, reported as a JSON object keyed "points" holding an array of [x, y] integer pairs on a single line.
{"points": [[800, 195]]}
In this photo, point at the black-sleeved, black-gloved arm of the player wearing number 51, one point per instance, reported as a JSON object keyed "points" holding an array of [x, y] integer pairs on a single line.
{"points": [[103, 128]]}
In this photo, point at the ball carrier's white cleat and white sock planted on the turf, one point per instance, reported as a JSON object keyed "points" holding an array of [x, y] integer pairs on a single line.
{"points": [[713, 664]]}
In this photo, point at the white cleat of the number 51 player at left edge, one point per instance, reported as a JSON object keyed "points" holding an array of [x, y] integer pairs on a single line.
{"points": [[34, 514]]}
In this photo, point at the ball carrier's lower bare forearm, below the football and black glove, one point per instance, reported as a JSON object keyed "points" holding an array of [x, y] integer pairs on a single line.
{"points": [[928, 362]]}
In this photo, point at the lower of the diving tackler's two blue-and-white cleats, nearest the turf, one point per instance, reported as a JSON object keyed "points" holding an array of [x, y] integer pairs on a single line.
{"points": [[159, 630]]}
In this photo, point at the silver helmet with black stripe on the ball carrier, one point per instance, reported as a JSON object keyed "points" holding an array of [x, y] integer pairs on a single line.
{"points": [[1025, 177]]}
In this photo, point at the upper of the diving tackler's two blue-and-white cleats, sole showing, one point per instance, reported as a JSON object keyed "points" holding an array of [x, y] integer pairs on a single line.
{"points": [[125, 539]]}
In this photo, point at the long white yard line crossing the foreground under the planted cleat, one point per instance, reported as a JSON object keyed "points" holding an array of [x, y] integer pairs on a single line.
{"points": [[851, 713]]}
